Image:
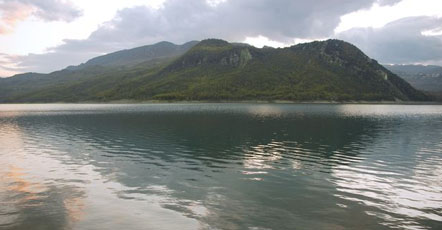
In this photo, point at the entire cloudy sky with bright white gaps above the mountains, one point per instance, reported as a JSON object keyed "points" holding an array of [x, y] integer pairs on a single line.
{"points": [[48, 35]]}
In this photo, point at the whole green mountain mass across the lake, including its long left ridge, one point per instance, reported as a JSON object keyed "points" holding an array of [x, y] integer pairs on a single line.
{"points": [[214, 69]]}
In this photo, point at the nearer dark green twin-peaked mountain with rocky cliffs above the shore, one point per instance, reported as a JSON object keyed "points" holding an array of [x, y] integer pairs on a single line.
{"points": [[218, 70]]}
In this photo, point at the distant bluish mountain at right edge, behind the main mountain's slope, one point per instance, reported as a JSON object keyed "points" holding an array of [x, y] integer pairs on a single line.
{"points": [[423, 77]]}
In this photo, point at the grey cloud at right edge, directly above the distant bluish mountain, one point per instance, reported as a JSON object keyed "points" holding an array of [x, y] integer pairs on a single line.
{"points": [[402, 41]]}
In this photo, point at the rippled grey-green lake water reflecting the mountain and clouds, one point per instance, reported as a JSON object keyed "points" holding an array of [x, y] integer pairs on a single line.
{"points": [[220, 166]]}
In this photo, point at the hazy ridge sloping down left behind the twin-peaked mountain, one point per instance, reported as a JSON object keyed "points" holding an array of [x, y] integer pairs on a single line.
{"points": [[101, 70]]}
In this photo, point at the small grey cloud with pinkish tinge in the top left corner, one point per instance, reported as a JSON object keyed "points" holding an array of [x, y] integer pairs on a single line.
{"points": [[14, 11]]}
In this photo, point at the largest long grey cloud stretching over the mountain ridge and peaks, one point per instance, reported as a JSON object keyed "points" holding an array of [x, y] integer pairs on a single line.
{"points": [[181, 21]]}
